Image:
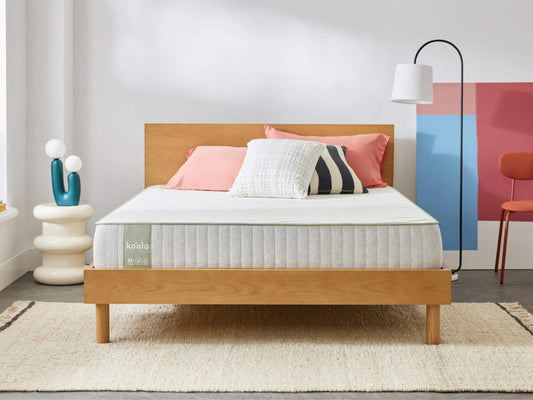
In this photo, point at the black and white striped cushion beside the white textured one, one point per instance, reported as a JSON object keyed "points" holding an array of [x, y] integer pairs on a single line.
{"points": [[333, 175]]}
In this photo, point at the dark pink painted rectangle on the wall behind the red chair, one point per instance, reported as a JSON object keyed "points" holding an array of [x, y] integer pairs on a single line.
{"points": [[504, 124]]}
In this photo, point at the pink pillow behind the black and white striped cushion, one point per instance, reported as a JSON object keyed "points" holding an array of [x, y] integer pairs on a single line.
{"points": [[364, 153]]}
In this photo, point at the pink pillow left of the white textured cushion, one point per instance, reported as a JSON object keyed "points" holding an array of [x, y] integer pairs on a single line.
{"points": [[208, 168]]}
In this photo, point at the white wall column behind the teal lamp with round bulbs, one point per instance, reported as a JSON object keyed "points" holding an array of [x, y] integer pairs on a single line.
{"points": [[49, 94]]}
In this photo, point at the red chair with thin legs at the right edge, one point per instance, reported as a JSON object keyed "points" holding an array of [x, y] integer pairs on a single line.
{"points": [[515, 166]]}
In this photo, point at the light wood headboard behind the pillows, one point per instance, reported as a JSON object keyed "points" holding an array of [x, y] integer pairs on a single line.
{"points": [[165, 144]]}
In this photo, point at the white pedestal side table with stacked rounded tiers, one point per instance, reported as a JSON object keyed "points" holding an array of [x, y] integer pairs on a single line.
{"points": [[63, 242]]}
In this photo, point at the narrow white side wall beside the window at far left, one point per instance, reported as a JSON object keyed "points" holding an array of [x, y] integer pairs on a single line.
{"points": [[13, 242]]}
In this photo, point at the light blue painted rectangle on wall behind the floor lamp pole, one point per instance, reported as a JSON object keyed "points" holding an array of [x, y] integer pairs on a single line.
{"points": [[437, 176]]}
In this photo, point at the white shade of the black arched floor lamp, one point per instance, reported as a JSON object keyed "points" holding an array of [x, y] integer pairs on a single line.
{"points": [[413, 84]]}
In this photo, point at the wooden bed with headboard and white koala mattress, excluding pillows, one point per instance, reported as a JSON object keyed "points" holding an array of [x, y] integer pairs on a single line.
{"points": [[405, 271]]}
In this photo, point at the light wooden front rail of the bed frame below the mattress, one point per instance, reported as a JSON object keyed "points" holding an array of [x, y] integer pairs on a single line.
{"points": [[264, 286]]}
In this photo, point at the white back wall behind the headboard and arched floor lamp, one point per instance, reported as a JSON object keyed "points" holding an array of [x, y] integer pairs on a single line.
{"points": [[328, 61]]}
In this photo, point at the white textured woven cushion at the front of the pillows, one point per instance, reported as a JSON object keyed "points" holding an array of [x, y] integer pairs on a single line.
{"points": [[277, 168]]}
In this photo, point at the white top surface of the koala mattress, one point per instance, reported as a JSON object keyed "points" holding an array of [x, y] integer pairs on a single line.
{"points": [[382, 206]]}
